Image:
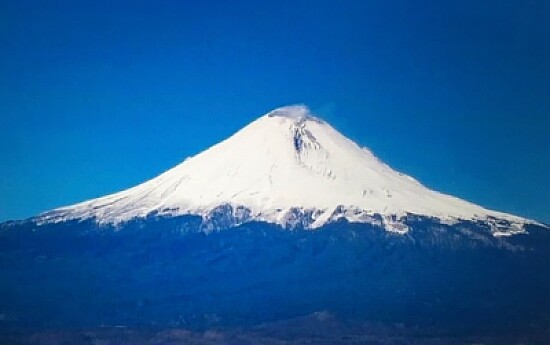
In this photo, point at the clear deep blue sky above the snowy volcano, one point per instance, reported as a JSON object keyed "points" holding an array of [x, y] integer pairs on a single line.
{"points": [[96, 96]]}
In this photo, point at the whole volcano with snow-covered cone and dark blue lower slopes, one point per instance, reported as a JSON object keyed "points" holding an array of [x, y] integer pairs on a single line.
{"points": [[285, 220]]}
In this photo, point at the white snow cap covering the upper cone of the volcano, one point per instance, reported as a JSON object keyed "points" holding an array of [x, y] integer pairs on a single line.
{"points": [[286, 159]]}
